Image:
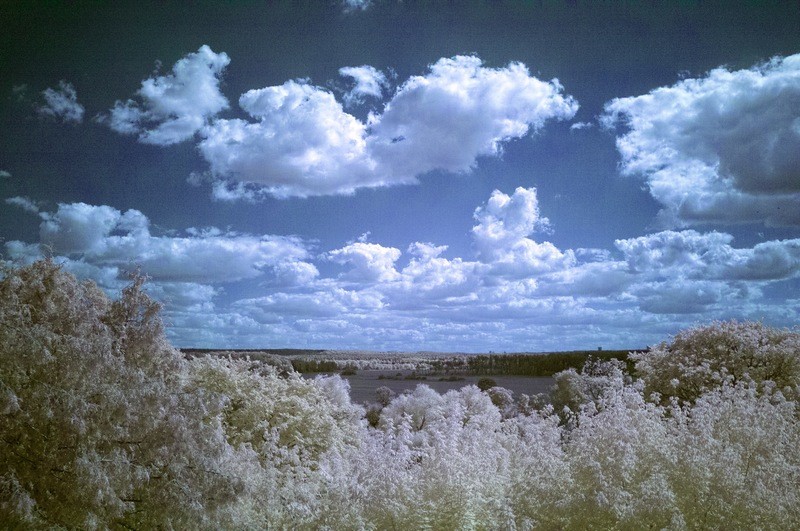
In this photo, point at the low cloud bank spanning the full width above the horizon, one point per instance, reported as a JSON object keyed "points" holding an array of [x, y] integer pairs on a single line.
{"points": [[514, 293]]}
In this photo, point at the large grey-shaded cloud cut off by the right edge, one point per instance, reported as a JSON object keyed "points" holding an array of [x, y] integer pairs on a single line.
{"points": [[724, 148]]}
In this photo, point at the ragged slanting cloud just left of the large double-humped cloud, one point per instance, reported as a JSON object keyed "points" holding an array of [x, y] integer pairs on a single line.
{"points": [[172, 108]]}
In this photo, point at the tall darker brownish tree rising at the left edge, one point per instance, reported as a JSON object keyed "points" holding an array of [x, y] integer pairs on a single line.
{"points": [[96, 427]]}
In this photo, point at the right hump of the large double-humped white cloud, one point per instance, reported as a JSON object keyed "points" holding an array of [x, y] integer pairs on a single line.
{"points": [[459, 111]]}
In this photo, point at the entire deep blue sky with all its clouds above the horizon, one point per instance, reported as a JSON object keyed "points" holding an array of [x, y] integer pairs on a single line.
{"points": [[411, 176]]}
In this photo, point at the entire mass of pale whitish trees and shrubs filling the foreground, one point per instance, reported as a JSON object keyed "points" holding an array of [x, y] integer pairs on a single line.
{"points": [[105, 425]]}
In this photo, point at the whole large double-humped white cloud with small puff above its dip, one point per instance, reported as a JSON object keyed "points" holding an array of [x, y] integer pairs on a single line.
{"points": [[301, 142]]}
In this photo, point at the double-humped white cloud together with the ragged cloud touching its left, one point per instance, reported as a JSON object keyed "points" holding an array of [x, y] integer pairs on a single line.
{"points": [[299, 140]]}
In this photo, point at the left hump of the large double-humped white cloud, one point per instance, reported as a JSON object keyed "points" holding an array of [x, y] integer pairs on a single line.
{"points": [[303, 143]]}
